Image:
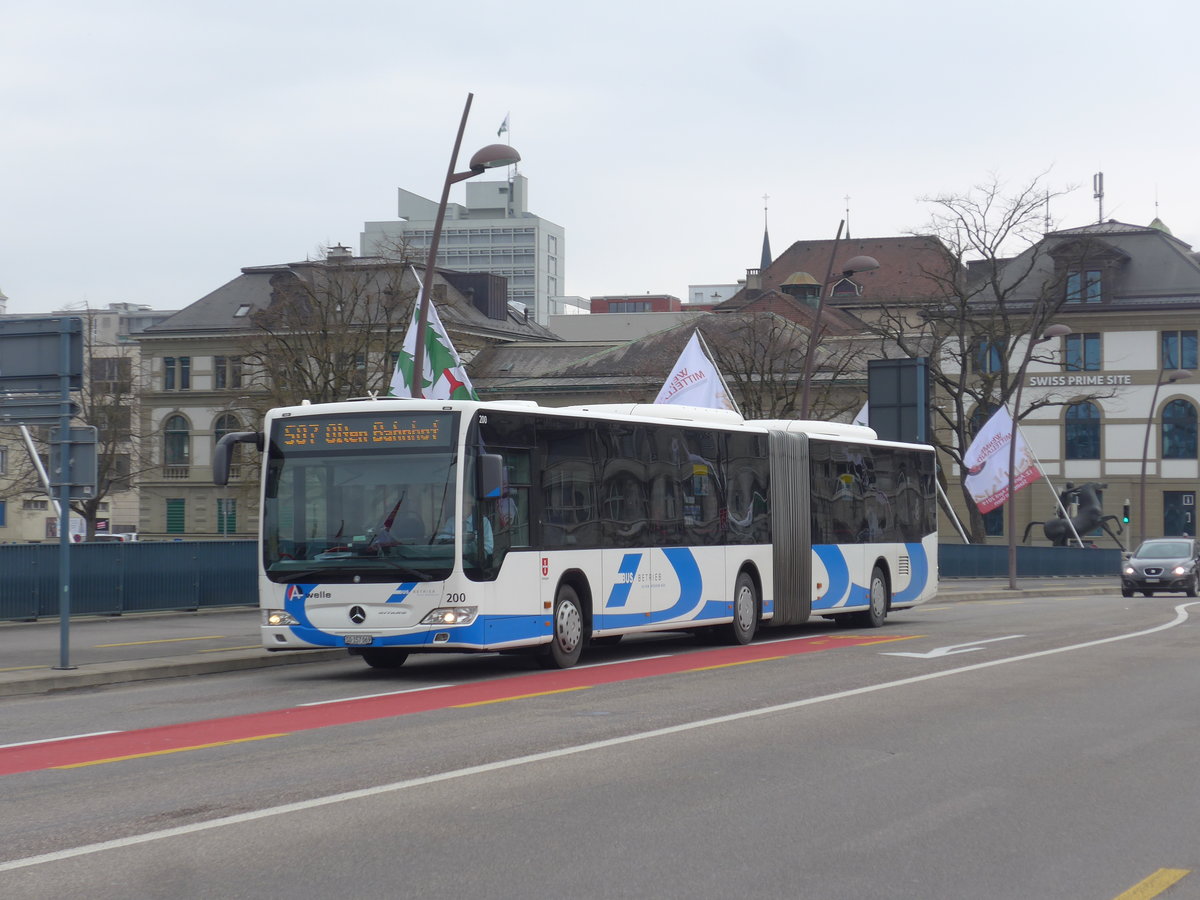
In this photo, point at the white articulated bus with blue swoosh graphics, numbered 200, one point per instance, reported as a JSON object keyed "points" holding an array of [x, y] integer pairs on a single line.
{"points": [[393, 527]]}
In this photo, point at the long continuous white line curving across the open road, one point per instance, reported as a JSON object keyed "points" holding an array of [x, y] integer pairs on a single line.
{"points": [[367, 793]]}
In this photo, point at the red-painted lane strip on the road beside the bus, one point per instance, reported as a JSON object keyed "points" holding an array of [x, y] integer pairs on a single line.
{"points": [[89, 751]]}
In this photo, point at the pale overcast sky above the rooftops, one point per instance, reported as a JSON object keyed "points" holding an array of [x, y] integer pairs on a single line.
{"points": [[152, 149]]}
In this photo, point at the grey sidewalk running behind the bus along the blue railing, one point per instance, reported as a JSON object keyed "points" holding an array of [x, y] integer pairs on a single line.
{"points": [[147, 646]]}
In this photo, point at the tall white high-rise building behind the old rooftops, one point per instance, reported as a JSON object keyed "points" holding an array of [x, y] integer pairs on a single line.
{"points": [[494, 232]]}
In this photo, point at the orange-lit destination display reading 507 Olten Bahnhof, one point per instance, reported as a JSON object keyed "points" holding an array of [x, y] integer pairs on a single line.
{"points": [[422, 430]]}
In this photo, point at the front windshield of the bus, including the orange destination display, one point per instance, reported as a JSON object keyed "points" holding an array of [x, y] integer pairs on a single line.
{"points": [[346, 500]]}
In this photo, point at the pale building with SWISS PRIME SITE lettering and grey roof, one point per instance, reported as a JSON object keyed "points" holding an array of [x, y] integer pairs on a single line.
{"points": [[1115, 403]]}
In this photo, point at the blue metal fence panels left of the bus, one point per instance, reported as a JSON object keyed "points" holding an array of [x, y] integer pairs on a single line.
{"points": [[113, 579]]}
